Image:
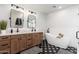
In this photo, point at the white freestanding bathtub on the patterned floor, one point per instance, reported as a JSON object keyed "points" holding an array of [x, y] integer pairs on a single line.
{"points": [[63, 42]]}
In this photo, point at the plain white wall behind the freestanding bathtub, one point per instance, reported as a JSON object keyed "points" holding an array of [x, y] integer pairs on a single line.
{"points": [[65, 21]]}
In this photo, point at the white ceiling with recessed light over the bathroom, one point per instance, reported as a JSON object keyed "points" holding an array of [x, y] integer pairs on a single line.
{"points": [[45, 8]]}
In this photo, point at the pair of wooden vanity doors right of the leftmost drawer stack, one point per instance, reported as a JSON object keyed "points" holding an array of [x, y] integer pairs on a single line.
{"points": [[18, 43]]}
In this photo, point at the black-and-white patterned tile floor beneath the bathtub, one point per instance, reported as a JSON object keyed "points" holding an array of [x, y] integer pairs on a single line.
{"points": [[51, 49]]}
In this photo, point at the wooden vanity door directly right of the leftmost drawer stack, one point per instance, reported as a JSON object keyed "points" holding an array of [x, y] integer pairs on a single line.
{"points": [[14, 44]]}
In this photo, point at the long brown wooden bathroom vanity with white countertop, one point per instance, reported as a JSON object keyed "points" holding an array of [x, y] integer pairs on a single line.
{"points": [[15, 43]]}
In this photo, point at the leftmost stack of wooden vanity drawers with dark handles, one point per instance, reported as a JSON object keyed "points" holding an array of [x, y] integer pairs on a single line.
{"points": [[4, 44]]}
